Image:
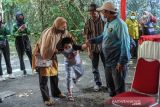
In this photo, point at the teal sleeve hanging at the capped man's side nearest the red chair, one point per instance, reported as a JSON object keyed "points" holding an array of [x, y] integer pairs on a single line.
{"points": [[123, 35]]}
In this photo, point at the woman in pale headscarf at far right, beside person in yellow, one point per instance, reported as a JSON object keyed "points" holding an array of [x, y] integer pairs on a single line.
{"points": [[147, 20]]}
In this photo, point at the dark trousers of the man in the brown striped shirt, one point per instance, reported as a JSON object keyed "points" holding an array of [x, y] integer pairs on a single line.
{"points": [[95, 63]]}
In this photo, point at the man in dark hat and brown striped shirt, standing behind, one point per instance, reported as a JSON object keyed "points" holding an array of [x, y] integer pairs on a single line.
{"points": [[93, 27]]}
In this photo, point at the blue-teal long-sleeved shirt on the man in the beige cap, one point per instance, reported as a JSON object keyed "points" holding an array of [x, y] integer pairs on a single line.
{"points": [[115, 42]]}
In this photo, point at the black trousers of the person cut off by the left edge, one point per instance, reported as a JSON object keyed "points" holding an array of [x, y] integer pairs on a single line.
{"points": [[6, 53]]}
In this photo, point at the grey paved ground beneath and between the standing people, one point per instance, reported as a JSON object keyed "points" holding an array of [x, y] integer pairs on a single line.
{"points": [[27, 93]]}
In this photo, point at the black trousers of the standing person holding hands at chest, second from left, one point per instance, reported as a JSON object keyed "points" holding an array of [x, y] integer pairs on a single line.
{"points": [[23, 45]]}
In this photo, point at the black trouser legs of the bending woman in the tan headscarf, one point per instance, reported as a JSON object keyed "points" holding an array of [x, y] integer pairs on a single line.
{"points": [[55, 91]]}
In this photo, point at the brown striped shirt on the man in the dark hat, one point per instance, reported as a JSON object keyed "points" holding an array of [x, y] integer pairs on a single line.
{"points": [[92, 29]]}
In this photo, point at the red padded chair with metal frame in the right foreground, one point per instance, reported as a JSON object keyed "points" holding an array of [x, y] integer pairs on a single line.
{"points": [[144, 88]]}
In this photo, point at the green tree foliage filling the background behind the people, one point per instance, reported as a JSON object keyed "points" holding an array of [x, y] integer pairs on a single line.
{"points": [[40, 14]]}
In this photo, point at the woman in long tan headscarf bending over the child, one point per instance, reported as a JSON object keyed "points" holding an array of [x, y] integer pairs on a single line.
{"points": [[47, 47]]}
